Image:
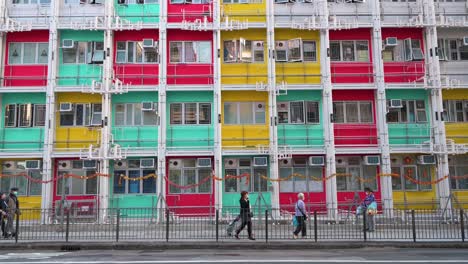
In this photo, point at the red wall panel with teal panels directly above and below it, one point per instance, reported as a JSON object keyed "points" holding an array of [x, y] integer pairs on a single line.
{"points": [[136, 74]]}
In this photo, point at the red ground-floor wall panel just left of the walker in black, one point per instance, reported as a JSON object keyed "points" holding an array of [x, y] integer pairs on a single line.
{"points": [[196, 204]]}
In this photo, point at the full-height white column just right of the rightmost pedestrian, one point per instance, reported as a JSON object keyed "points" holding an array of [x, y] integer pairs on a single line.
{"points": [[384, 145]]}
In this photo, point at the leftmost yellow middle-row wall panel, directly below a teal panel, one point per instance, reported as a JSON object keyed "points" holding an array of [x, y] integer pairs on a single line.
{"points": [[76, 137]]}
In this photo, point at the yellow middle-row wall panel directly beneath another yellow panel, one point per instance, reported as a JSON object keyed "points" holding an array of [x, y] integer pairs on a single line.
{"points": [[245, 135]]}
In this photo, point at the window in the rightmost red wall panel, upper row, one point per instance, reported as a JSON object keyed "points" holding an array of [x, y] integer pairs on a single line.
{"points": [[405, 50]]}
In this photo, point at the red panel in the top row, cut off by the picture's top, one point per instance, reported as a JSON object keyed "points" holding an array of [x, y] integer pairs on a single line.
{"points": [[178, 13]]}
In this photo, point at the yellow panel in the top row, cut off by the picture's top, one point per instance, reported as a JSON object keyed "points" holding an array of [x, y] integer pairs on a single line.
{"points": [[244, 12]]}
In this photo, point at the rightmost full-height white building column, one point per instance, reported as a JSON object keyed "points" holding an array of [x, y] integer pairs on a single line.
{"points": [[434, 82]]}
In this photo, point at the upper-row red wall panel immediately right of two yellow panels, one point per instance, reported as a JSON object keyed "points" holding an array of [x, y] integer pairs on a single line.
{"points": [[352, 72]]}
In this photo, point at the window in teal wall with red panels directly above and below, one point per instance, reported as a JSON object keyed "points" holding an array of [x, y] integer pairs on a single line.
{"points": [[190, 113]]}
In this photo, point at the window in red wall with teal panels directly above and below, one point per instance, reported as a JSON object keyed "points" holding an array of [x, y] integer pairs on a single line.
{"points": [[134, 52]]}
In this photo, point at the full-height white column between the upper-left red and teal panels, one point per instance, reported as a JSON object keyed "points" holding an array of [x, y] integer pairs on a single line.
{"points": [[49, 135]]}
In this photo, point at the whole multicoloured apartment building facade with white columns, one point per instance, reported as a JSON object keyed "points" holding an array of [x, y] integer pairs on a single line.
{"points": [[185, 104]]}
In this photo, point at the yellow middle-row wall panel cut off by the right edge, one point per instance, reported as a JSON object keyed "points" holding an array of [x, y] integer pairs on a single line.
{"points": [[456, 131]]}
